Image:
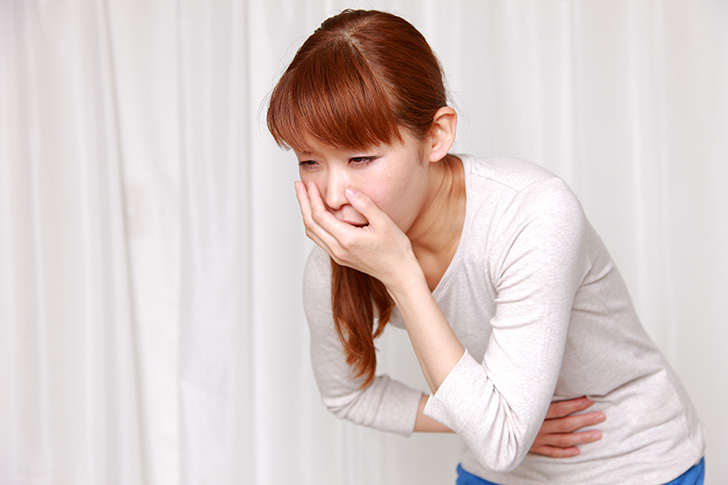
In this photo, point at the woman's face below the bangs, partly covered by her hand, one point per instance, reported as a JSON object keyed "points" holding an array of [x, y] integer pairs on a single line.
{"points": [[394, 176]]}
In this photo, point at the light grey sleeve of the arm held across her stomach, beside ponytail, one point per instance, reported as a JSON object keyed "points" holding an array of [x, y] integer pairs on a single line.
{"points": [[385, 404]]}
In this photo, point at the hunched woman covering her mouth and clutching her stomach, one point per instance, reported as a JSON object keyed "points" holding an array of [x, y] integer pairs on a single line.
{"points": [[508, 296]]}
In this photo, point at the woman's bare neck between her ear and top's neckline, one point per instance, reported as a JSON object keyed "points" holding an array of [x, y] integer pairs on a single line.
{"points": [[436, 231]]}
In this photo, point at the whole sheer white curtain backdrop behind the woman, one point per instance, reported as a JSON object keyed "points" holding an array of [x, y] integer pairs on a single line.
{"points": [[151, 252]]}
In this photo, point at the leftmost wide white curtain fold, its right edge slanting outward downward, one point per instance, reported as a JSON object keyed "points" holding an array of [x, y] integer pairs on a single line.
{"points": [[69, 405]]}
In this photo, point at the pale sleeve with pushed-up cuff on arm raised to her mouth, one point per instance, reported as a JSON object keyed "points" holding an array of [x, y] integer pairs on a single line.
{"points": [[537, 262]]}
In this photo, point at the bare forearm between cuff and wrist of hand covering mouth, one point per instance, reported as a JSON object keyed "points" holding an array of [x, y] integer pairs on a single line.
{"points": [[436, 346]]}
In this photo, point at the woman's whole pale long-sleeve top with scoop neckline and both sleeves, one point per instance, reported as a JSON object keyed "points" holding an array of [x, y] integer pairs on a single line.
{"points": [[535, 299]]}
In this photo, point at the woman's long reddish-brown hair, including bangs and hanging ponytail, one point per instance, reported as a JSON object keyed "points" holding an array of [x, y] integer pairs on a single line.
{"points": [[356, 82]]}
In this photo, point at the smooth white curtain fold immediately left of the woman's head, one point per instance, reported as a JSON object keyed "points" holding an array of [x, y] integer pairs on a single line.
{"points": [[215, 354]]}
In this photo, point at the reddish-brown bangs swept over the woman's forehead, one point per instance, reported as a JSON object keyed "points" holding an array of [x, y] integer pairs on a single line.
{"points": [[334, 98]]}
